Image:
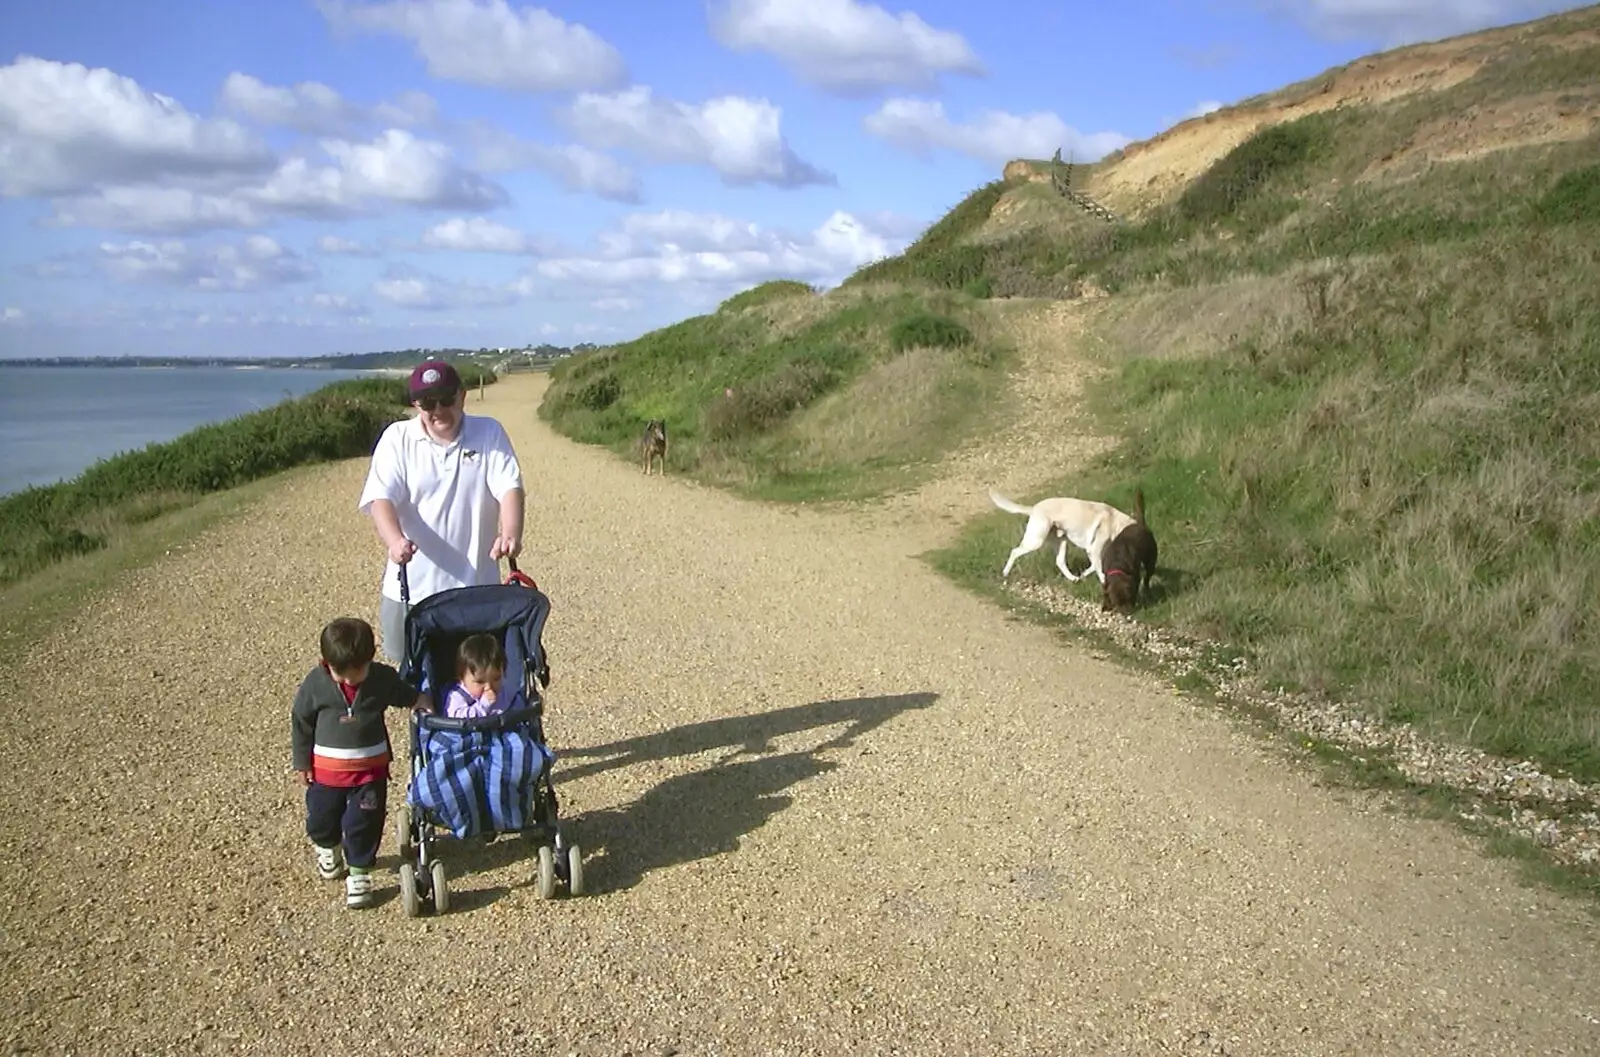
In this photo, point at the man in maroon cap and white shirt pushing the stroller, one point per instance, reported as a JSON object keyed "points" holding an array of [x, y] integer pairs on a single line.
{"points": [[446, 493]]}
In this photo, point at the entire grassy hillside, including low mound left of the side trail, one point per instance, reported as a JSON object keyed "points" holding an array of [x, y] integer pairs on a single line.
{"points": [[1353, 348]]}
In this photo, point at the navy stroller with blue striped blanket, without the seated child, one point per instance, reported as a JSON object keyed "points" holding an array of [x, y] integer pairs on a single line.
{"points": [[487, 775]]}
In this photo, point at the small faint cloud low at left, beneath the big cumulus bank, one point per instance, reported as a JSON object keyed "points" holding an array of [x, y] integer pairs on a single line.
{"points": [[250, 265]]}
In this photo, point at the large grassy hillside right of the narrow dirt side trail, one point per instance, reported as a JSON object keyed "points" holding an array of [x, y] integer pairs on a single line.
{"points": [[1356, 367]]}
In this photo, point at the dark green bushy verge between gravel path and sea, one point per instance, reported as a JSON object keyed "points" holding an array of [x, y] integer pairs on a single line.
{"points": [[44, 527]]}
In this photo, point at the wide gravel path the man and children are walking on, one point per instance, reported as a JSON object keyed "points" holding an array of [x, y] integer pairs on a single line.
{"points": [[833, 805]]}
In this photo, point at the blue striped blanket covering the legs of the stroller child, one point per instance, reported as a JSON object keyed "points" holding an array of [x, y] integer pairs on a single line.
{"points": [[479, 783]]}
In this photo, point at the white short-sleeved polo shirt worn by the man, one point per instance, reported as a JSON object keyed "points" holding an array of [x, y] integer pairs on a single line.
{"points": [[447, 498]]}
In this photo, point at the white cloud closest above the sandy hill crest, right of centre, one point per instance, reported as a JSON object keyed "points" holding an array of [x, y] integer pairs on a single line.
{"points": [[996, 137]]}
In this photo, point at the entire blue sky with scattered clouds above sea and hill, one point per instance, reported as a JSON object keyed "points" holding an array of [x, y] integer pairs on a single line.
{"points": [[316, 177]]}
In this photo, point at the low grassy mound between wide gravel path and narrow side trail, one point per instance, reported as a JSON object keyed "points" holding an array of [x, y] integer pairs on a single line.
{"points": [[790, 394]]}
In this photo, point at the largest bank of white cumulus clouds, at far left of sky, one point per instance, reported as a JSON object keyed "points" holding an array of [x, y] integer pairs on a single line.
{"points": [[113, 156]]}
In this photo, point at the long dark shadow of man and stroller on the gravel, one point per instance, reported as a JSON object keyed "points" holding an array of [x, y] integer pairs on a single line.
{"points": [[700, 815]]}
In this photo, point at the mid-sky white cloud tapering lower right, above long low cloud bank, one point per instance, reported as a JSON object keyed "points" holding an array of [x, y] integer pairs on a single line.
{"points": [[738, 138]]}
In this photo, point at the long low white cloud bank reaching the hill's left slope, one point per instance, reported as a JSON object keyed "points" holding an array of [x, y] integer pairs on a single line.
{"points": [[697, 249]]}
